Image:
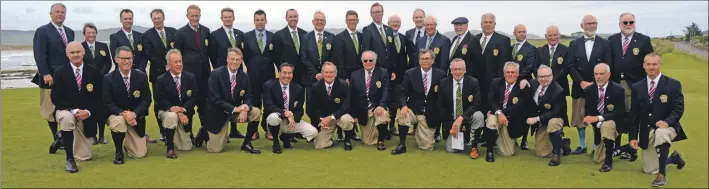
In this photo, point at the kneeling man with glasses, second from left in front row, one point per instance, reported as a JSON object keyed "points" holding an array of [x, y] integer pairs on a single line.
{"points": [[126, 94]]}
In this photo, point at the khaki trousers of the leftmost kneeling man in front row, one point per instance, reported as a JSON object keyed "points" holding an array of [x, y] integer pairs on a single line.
{"points": [[67, 122]]}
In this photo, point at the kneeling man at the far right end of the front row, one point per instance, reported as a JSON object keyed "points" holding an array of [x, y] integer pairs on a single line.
{"points": [[656, 118]]}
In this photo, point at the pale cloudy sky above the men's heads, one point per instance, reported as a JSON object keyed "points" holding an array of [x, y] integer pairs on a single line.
{"points": [[653, 18]]}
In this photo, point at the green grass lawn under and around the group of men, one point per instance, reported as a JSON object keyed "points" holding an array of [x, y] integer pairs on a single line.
{"points": [[25, 162]]}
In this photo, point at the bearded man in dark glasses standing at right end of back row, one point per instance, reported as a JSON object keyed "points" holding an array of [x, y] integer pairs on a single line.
{"points": [[628, 48]]}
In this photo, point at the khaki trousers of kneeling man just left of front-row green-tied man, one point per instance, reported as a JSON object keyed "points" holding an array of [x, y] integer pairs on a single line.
{"points": [[424, 134]]}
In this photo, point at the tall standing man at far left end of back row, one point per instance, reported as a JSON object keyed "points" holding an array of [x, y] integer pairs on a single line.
{"points": [[49, 47]]}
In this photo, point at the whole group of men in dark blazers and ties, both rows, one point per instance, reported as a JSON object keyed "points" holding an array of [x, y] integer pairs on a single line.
{"points": [[481, 87]]}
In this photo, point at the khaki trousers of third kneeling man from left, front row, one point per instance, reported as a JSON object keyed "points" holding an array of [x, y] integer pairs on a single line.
{"points": [[181, 138]]}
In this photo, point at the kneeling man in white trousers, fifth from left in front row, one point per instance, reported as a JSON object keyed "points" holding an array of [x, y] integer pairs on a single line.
{"points": [[283, 102]]}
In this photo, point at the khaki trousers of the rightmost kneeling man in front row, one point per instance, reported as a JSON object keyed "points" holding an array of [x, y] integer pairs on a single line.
{"points": [[659, 136]]}
